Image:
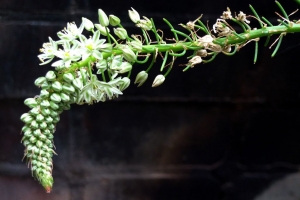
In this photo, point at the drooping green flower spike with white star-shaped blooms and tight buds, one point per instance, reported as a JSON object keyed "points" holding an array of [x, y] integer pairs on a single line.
{"points": [[97, 68]]}
